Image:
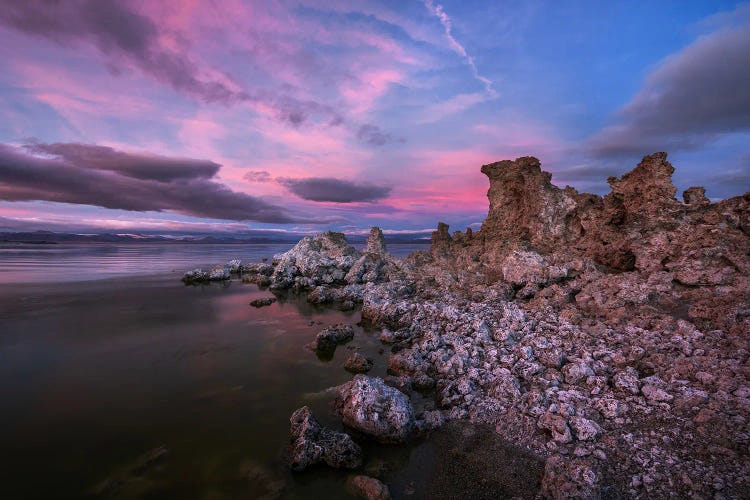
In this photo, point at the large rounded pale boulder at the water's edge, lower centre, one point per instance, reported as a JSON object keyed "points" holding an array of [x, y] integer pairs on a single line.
{"points": [[382, 412]]}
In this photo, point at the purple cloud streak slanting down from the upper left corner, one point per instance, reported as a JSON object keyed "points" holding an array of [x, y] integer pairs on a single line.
{"points": [[123, 34]]}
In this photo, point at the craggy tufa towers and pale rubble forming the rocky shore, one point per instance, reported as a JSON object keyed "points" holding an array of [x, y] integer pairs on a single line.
{"points": [[608, 335]]}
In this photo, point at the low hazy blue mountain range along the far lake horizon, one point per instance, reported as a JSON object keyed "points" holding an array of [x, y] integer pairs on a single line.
{"points": [[49, 237]]}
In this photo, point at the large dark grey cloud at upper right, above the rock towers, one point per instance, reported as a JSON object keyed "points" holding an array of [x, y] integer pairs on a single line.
{"points": [[692, 98]]}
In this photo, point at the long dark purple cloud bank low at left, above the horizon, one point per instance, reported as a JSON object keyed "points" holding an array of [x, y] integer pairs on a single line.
{"points": [[121, 181]]}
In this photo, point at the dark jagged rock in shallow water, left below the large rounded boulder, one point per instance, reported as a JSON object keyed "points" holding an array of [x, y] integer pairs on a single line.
{"points": [[311, 444]]}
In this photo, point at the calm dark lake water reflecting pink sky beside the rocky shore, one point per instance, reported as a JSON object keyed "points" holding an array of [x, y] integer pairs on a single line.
{"points": [[95, 375]]}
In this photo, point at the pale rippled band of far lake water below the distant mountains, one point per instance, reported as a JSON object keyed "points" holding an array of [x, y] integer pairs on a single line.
{"points": [[23, 263]]}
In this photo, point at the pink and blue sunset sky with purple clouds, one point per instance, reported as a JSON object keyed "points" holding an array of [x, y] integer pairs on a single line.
{"points": [[202, 117]]}
